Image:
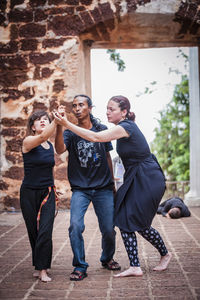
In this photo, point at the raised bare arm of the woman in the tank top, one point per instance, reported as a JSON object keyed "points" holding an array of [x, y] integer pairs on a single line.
{"points": [[33, 141]]}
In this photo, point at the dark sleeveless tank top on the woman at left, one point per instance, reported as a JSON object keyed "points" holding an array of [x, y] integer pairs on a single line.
{"points": [[38, 167]]}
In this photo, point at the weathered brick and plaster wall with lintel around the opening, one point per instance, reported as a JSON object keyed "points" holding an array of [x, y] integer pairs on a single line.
{"points": [[44, 61]]}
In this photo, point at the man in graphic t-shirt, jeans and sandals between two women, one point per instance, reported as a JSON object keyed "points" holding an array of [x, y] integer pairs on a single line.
{"points": [[91, 178]]}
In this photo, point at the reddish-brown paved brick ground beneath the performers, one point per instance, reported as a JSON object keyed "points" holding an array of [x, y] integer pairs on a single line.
{"points": [[180, 281]]}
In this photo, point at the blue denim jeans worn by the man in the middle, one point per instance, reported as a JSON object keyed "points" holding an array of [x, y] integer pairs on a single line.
{"points": [[103, 203]]}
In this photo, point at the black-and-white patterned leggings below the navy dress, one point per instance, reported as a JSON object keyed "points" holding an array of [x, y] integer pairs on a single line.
{"points": [[130, 243]]}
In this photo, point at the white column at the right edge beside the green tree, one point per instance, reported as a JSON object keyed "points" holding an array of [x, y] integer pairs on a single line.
{"points": [[192, 198]]}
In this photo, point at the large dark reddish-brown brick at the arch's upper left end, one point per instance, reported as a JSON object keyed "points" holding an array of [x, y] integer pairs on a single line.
{"points": [[67, 25]]}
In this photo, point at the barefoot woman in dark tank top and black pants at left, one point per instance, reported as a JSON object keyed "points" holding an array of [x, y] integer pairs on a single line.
{"points": [[37, 194]]}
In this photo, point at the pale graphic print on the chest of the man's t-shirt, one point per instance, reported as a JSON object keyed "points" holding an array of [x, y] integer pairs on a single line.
{"points": [[87, 154]]}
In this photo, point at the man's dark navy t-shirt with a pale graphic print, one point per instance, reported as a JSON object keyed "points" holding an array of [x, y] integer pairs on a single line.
{"points": [[87, 164]]}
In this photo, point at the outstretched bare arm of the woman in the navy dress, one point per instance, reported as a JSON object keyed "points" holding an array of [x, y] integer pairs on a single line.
{"points": [[107, 135]]}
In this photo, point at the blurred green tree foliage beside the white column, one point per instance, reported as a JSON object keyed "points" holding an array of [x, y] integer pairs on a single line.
{"points": [[171, 143]]}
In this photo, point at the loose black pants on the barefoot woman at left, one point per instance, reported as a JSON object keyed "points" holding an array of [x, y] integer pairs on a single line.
{"points": [[41, 239]]}
